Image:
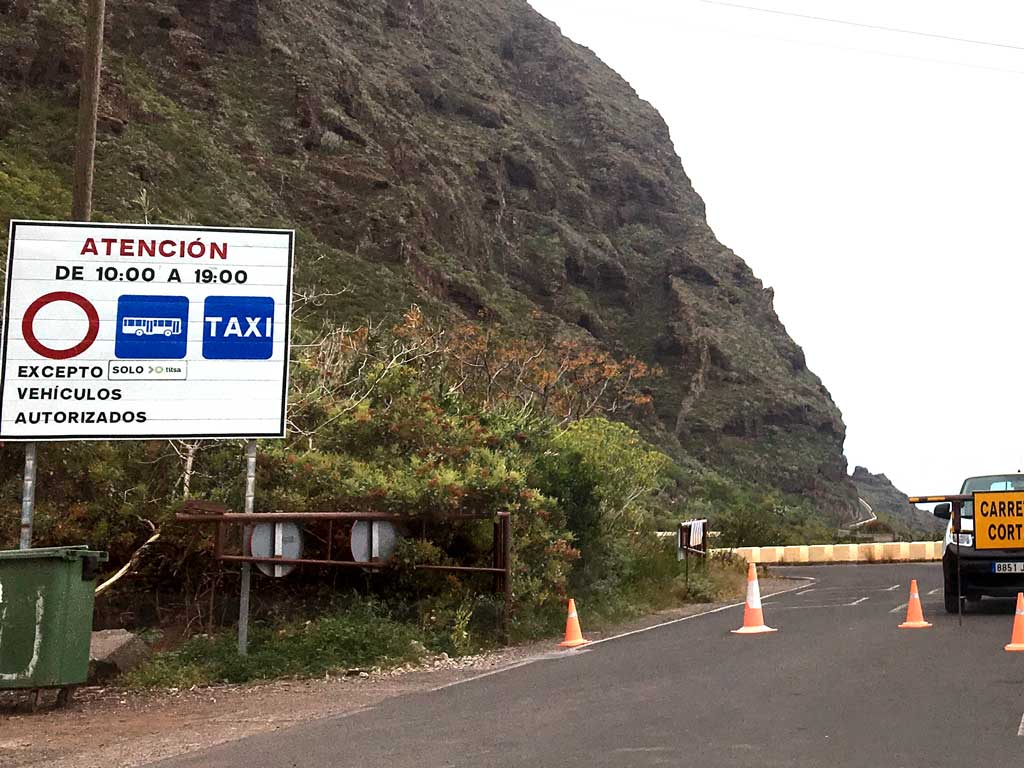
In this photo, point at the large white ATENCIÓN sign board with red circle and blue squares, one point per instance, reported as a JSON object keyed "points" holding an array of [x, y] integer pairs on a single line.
{"points": [[121, 331]]}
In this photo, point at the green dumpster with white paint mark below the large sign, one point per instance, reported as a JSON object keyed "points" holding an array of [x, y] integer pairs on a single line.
{"points": [[47, 599]]}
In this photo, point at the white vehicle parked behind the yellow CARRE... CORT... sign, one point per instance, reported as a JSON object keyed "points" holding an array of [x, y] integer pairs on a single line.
{"points": [[983, 572]]}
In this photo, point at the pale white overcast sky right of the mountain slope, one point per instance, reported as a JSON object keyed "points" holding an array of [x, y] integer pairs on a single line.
{"points": [[876, 181]]}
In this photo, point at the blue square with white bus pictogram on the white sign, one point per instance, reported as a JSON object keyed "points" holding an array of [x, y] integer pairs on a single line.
{"points": [[152, 327]]}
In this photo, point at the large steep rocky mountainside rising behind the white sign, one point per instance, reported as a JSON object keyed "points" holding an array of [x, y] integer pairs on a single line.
{"points": [[459, 154]]}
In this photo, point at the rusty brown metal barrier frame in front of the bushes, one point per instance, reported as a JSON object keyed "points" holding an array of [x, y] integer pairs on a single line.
{"points": [[210, 514]]}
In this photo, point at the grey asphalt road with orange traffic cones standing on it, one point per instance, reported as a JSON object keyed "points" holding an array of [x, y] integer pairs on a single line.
{"points": [[838, 687]]}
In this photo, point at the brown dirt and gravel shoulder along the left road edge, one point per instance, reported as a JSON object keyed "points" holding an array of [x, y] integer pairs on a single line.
{"points": [[117, 729]]}
